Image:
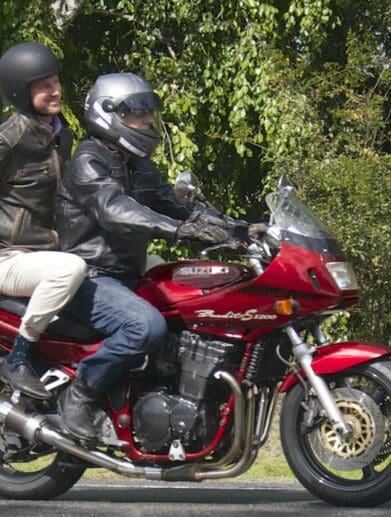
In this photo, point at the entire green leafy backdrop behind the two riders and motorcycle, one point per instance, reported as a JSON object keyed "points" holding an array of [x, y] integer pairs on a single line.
{"points": [[252, 89]]}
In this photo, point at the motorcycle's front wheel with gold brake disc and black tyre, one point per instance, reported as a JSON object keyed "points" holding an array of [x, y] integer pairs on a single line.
{"points": [[352, 471]]}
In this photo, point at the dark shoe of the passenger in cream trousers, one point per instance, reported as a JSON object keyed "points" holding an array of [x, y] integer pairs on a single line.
{"points": [[21, 376]]}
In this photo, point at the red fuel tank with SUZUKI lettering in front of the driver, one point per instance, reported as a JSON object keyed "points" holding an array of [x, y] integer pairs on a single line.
{"points": [[168, 284]]}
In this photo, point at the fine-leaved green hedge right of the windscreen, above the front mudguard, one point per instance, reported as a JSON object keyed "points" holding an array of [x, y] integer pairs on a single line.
{"points": [[360, 193]]}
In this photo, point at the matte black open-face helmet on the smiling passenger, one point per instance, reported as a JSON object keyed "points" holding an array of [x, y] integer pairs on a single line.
{"points": [[20, 65]]}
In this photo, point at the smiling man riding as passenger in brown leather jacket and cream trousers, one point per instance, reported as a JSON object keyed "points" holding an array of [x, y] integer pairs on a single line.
{"points": [[34, 146]]}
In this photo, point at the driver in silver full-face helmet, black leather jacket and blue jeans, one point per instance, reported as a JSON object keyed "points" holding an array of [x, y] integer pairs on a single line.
{"points": [[111, 204]]}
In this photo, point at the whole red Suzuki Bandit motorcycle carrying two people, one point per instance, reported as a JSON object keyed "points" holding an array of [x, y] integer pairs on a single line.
{"points": [[242, 334]]}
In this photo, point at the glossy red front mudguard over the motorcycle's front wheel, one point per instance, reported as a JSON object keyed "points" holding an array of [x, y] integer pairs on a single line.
{"points": [[338, 357]]}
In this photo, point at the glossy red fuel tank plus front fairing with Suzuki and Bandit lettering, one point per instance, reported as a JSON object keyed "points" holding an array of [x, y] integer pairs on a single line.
{"points": [[230, 301]]}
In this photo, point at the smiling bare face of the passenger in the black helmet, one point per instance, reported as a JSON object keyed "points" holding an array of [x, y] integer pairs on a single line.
{"points": [[45, 95]]}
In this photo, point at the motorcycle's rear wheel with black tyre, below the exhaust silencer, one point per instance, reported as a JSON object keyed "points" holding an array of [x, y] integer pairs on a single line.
{"points": [[33, 471]]}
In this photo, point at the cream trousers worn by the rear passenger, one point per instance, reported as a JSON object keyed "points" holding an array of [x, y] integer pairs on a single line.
{"points": [[49, 278]]}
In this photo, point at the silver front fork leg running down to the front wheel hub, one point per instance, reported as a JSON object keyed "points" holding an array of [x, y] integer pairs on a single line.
{"points": [[304, 358]]}
